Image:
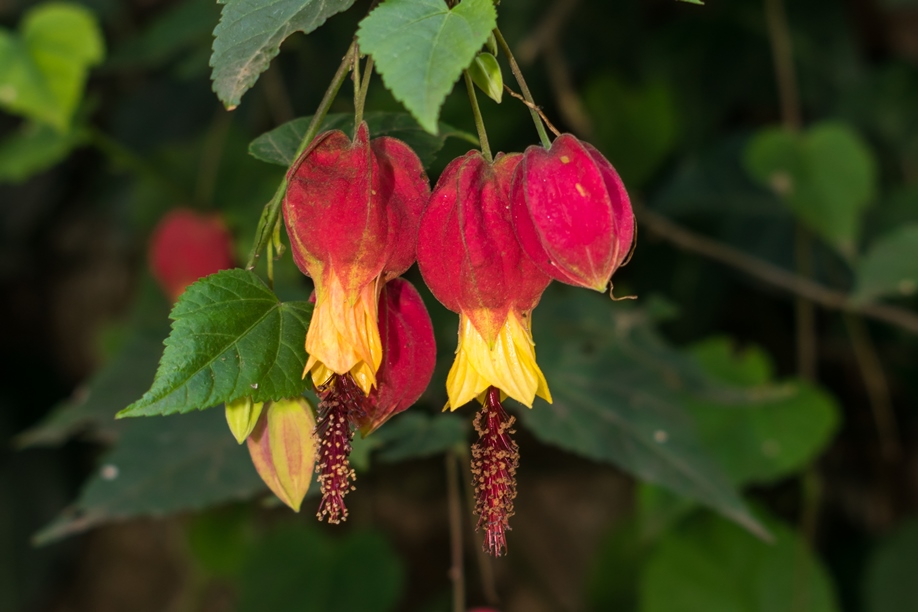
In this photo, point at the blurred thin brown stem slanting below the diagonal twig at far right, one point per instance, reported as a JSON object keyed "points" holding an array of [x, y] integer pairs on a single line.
{"points": [[876, 386]]}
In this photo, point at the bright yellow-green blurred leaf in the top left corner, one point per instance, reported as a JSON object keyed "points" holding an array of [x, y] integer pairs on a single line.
{"points": [[43, 69]]}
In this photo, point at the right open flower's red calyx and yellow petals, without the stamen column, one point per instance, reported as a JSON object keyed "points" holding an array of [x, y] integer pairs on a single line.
{"points": [[473, 264]]}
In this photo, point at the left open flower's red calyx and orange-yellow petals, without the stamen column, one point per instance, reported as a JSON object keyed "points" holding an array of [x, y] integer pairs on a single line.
{"points": [[352, 211]]}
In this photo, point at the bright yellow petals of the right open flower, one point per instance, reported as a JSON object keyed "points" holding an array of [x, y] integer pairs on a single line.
{"points": [[509, 364]]}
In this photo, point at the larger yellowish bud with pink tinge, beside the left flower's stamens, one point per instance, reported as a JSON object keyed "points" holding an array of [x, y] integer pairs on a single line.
{"points": [[282, 447]]}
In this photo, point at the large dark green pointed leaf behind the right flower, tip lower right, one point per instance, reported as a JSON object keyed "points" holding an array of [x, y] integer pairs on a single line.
{"points": [[616, 388]]}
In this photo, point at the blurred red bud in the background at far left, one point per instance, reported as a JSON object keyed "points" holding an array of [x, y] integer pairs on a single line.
{"points": [[186, 246]]}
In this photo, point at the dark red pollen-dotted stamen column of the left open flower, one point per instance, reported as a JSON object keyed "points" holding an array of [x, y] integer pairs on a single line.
{"points": [[341, 402]]}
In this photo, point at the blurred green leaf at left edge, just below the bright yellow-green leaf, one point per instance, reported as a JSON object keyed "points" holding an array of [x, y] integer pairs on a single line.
{"points": [[34, 148]]}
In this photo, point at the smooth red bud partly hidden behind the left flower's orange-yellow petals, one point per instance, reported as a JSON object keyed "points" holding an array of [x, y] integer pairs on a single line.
{"points": [[409, 354]]}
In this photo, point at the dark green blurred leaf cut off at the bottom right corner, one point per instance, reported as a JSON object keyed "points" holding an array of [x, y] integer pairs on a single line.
{"points": [[890, 585]]}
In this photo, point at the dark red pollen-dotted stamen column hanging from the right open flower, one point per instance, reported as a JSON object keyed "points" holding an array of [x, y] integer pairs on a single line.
{"points": [[495, 457]]}
